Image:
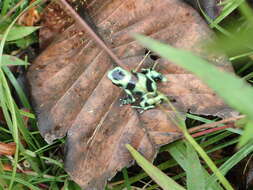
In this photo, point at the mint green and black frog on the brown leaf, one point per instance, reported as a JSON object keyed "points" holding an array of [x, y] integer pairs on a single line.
{"points": [[142, 84]]}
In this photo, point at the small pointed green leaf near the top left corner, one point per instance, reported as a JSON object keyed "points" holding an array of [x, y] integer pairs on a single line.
{"points": [[18, 32]]}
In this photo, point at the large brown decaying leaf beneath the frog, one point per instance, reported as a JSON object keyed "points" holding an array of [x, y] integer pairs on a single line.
{"points": [[73, 96]]}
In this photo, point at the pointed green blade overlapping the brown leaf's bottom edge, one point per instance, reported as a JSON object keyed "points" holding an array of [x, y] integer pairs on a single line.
{"points": [[157, 175]]}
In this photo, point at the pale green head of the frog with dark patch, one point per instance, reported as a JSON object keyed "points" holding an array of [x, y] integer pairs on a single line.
{"points": [[117, 75]]}
